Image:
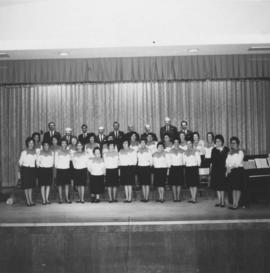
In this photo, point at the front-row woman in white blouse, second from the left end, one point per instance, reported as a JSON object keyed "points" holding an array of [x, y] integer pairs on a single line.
{"points": [[45, 162]]}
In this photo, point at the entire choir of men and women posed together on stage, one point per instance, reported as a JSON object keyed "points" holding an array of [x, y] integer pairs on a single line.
{"points": [[107, 161]]}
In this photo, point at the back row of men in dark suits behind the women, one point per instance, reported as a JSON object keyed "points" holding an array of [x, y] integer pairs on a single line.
{"points": [[117, 135]]}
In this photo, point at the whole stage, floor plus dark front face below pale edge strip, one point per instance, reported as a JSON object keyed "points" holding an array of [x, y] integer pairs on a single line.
{"points": [[137, 237]]}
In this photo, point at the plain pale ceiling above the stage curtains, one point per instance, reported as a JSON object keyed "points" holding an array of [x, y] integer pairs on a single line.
{"points": [[41, 29]]}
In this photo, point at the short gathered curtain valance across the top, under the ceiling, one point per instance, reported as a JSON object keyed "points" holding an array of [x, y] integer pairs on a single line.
{"points": [[135, 69]]}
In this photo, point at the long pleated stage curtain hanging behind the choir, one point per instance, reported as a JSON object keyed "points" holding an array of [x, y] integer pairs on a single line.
{"points": [[230, 107]]}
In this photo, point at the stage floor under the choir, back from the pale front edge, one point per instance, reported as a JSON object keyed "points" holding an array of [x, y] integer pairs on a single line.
{"points": [[105, 212]]}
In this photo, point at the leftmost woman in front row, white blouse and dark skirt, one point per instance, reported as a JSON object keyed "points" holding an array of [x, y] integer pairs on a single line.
{"points": [[27, 163]]}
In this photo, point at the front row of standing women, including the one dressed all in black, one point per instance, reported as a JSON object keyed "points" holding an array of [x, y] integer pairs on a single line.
{"points": [[179, 165]]}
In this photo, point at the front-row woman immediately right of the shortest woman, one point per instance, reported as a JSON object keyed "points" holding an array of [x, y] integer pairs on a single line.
{"points": [[111, 160]]}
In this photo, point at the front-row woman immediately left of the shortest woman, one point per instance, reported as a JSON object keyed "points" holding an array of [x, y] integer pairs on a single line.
{"points": [[80, 160]]}
